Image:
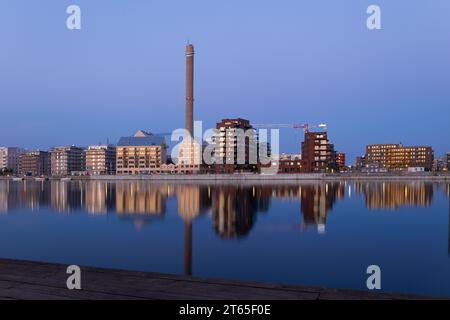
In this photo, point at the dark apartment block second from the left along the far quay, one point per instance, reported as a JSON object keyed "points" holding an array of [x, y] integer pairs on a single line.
{"points": [[35, 164]]}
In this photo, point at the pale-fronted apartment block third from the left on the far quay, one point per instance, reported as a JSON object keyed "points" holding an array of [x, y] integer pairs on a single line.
{"points": [[67, 160]]}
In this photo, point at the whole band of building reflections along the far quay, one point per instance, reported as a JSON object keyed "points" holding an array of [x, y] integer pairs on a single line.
{"points": [[234, 208]]}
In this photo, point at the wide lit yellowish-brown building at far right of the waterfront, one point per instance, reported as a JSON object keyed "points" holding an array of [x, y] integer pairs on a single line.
{"points": [[396, 157]]}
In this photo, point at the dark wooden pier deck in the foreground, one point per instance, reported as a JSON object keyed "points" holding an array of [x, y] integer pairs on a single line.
{"points": [[33, 280]]}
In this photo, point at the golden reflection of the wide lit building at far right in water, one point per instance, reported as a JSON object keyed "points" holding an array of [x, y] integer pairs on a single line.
{"points": [[393, 195]]}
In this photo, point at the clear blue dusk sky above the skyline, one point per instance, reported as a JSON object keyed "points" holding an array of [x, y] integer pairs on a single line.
{"points": [[284, 61]]}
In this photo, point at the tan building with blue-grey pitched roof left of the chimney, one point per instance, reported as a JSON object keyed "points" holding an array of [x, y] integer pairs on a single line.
{"points": [[143, 153]]}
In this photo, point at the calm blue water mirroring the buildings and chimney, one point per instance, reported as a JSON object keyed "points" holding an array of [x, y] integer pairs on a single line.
{"points": [[312, 234]]}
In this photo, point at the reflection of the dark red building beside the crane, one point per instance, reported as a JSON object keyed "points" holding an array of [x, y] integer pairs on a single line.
{"points": [[317, 200]]}
